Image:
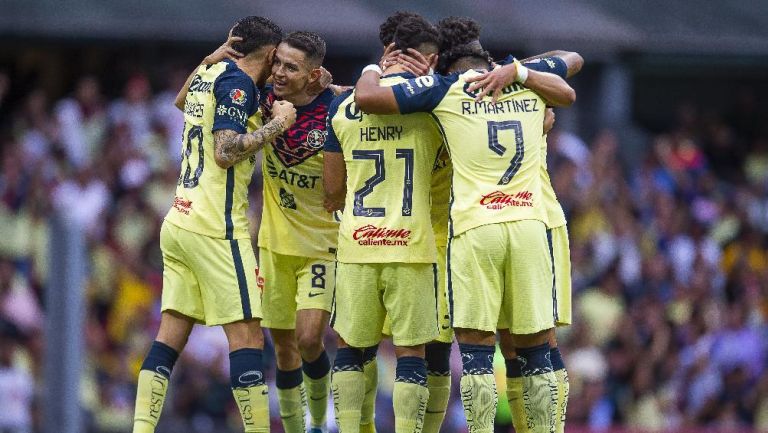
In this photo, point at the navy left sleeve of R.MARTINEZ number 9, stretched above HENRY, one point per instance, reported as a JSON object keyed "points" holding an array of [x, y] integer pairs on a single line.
{"points": [[422, 94]]}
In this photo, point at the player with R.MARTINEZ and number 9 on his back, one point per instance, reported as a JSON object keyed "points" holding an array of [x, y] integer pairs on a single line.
{"points": [[498, 254]]}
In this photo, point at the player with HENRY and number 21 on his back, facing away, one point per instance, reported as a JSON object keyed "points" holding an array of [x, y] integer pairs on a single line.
{"points": [[386, 257]]}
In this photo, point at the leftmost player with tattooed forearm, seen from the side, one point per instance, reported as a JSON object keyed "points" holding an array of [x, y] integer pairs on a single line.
{"points": [[209, 273]]}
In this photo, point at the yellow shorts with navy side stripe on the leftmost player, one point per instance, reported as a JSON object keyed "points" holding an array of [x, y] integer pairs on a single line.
{"points": [[213, 281]]}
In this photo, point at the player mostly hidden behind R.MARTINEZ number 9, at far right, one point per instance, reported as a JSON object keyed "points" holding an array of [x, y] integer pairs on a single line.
{"points": [[491, 82]]}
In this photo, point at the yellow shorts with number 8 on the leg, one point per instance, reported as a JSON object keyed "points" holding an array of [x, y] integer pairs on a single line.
{"points": [[294, 283]]}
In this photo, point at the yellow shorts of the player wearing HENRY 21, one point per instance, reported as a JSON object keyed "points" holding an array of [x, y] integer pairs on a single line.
{"points": [[366, 293]]}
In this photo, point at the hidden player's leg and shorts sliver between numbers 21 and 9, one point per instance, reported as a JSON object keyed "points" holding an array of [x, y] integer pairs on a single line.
{"points": [[438, 355]]}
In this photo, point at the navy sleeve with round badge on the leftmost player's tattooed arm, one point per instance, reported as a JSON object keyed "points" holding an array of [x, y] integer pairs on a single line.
{"points": [[236, 97]]}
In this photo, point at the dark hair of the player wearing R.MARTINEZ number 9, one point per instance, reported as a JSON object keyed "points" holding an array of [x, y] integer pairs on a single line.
{"points": [[460, 38]]}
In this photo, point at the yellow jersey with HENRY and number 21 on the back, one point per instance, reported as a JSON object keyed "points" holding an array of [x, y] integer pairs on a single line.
{"points": [[389, 161]]}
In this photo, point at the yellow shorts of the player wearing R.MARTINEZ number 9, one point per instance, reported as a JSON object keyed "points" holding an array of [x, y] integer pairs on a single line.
{"points": [[502, 267]]}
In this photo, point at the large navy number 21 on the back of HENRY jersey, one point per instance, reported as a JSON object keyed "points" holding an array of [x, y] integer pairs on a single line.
{"points": [[377, 156]]}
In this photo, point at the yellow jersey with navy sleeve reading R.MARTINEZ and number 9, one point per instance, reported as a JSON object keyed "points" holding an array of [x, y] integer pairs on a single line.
{"points": [[495, 148]]}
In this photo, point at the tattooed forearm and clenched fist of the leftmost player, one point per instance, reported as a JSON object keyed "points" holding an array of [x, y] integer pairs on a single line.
{"points": [[231, 147]]}
